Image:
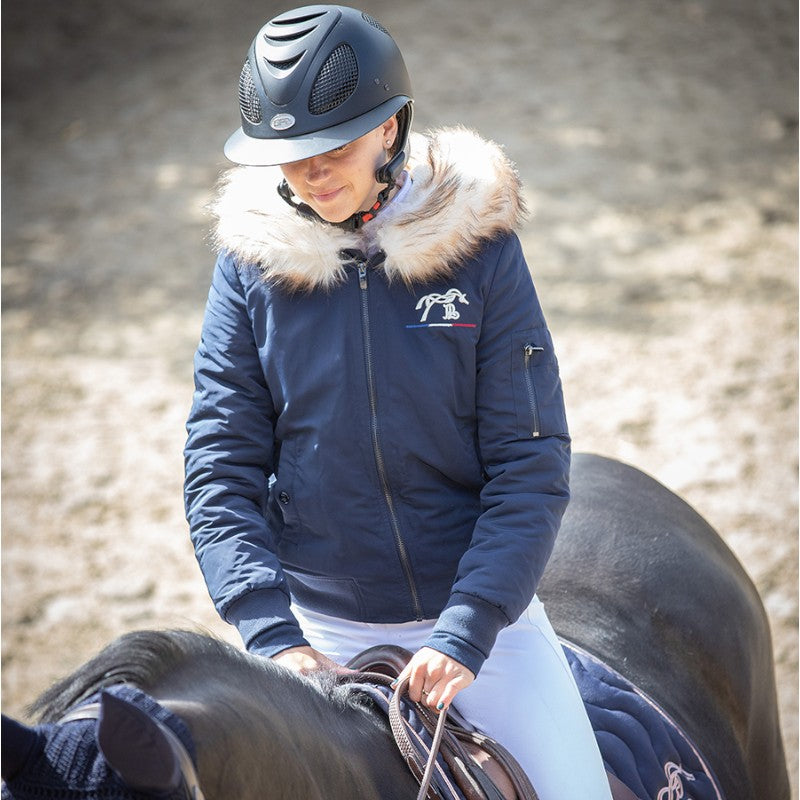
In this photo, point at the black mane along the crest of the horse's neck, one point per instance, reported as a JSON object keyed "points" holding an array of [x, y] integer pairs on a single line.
{"points": [[143, 658]]}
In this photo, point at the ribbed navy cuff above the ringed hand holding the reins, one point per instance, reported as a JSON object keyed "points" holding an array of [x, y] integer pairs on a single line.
{"points": [[467, 629]]}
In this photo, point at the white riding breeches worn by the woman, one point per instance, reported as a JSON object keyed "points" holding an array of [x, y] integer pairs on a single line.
{"points": [[524, 696]]}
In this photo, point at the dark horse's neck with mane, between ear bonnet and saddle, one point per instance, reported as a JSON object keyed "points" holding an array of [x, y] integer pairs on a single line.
{"points": [[239, 704]]}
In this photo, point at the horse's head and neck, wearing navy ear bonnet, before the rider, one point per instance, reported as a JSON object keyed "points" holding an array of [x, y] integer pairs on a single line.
{"points": [[253, 729]]}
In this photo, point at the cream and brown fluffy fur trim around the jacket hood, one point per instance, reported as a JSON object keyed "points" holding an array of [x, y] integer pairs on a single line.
{"points": [[465, 191]]}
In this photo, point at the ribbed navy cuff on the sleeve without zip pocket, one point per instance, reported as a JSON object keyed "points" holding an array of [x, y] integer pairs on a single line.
{"points": [[265, 622]]}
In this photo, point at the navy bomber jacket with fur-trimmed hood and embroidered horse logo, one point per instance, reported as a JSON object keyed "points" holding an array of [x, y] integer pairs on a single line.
{"points": [[378, 428]]}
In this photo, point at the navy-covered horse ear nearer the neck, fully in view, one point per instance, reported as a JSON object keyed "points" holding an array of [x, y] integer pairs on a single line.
{"points": [[134, 746]]}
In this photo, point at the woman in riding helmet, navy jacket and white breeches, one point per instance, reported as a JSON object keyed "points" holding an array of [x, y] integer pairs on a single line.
{"points": [[378, 449]]}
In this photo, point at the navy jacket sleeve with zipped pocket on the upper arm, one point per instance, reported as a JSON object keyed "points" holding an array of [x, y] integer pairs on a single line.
{"points": [[525, 453]]}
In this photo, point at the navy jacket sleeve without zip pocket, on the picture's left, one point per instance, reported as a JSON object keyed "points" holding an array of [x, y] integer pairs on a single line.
{"points": [[228, 462]]}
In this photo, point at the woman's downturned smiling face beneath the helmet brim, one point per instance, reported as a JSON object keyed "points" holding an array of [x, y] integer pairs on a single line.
{"points": [[340, 183]]}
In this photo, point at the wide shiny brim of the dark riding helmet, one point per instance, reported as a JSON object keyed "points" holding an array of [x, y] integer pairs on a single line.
{"points": [[250, 151]]}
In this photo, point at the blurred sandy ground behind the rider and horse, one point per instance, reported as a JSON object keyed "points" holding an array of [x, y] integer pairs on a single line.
{"points": [[658, 145]]}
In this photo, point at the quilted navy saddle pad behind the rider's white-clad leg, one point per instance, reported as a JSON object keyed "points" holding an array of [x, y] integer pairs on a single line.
{"points": [[639, 742]]}
